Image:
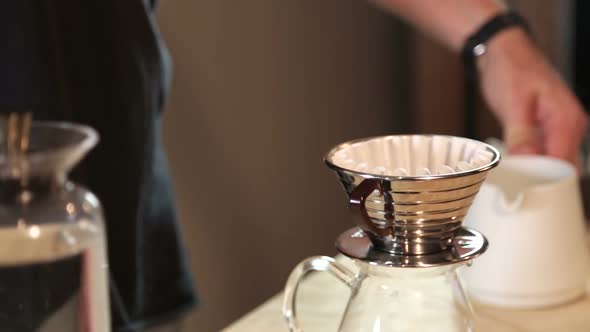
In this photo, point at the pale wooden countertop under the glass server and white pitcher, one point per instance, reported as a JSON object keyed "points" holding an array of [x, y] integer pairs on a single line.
{"points": [[322, 299]]}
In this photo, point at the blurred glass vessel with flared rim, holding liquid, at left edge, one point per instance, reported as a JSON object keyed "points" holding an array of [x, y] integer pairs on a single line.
{"points": [[53, 267]]}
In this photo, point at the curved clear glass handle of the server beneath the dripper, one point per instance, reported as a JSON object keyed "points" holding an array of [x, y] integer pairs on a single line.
{"points": [[317, 263]]}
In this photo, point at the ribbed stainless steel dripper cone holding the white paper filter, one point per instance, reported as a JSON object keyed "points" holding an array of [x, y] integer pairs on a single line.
{"points": [[410, 193]]}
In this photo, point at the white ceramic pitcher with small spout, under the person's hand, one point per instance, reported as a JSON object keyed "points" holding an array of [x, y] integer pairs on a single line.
{"points": [[530, 210]]}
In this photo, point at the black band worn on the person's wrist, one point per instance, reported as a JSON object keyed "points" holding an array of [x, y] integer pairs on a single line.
{"points": [[475, 45]]}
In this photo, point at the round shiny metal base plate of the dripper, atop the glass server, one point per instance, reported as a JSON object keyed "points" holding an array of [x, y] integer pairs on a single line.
{"points": [[467, 245]]}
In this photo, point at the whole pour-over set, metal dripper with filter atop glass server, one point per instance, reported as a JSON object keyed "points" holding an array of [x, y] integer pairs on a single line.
{"points": [[408, 195]]}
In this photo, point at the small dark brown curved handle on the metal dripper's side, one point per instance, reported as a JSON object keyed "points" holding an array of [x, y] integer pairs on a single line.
{"points": [[358, 209]]}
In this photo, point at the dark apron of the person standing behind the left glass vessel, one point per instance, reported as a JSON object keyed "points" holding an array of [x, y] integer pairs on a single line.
{"points": [[102, 63]]}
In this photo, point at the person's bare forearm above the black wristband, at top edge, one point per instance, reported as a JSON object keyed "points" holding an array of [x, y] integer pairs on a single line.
{"points": [[449, 21]]}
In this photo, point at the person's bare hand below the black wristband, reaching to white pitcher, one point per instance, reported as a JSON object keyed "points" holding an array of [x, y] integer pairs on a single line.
{"points": [[538, 112]]}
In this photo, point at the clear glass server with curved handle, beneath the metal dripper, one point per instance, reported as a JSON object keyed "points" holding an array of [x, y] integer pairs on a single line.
{"points": [[385, 298]]}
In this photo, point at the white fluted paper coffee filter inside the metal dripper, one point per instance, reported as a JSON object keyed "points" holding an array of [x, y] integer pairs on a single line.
{"points": [[413, 155]]}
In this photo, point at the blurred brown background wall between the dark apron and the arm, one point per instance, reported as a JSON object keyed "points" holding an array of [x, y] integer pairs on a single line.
{"points": [[262, 89]]}
